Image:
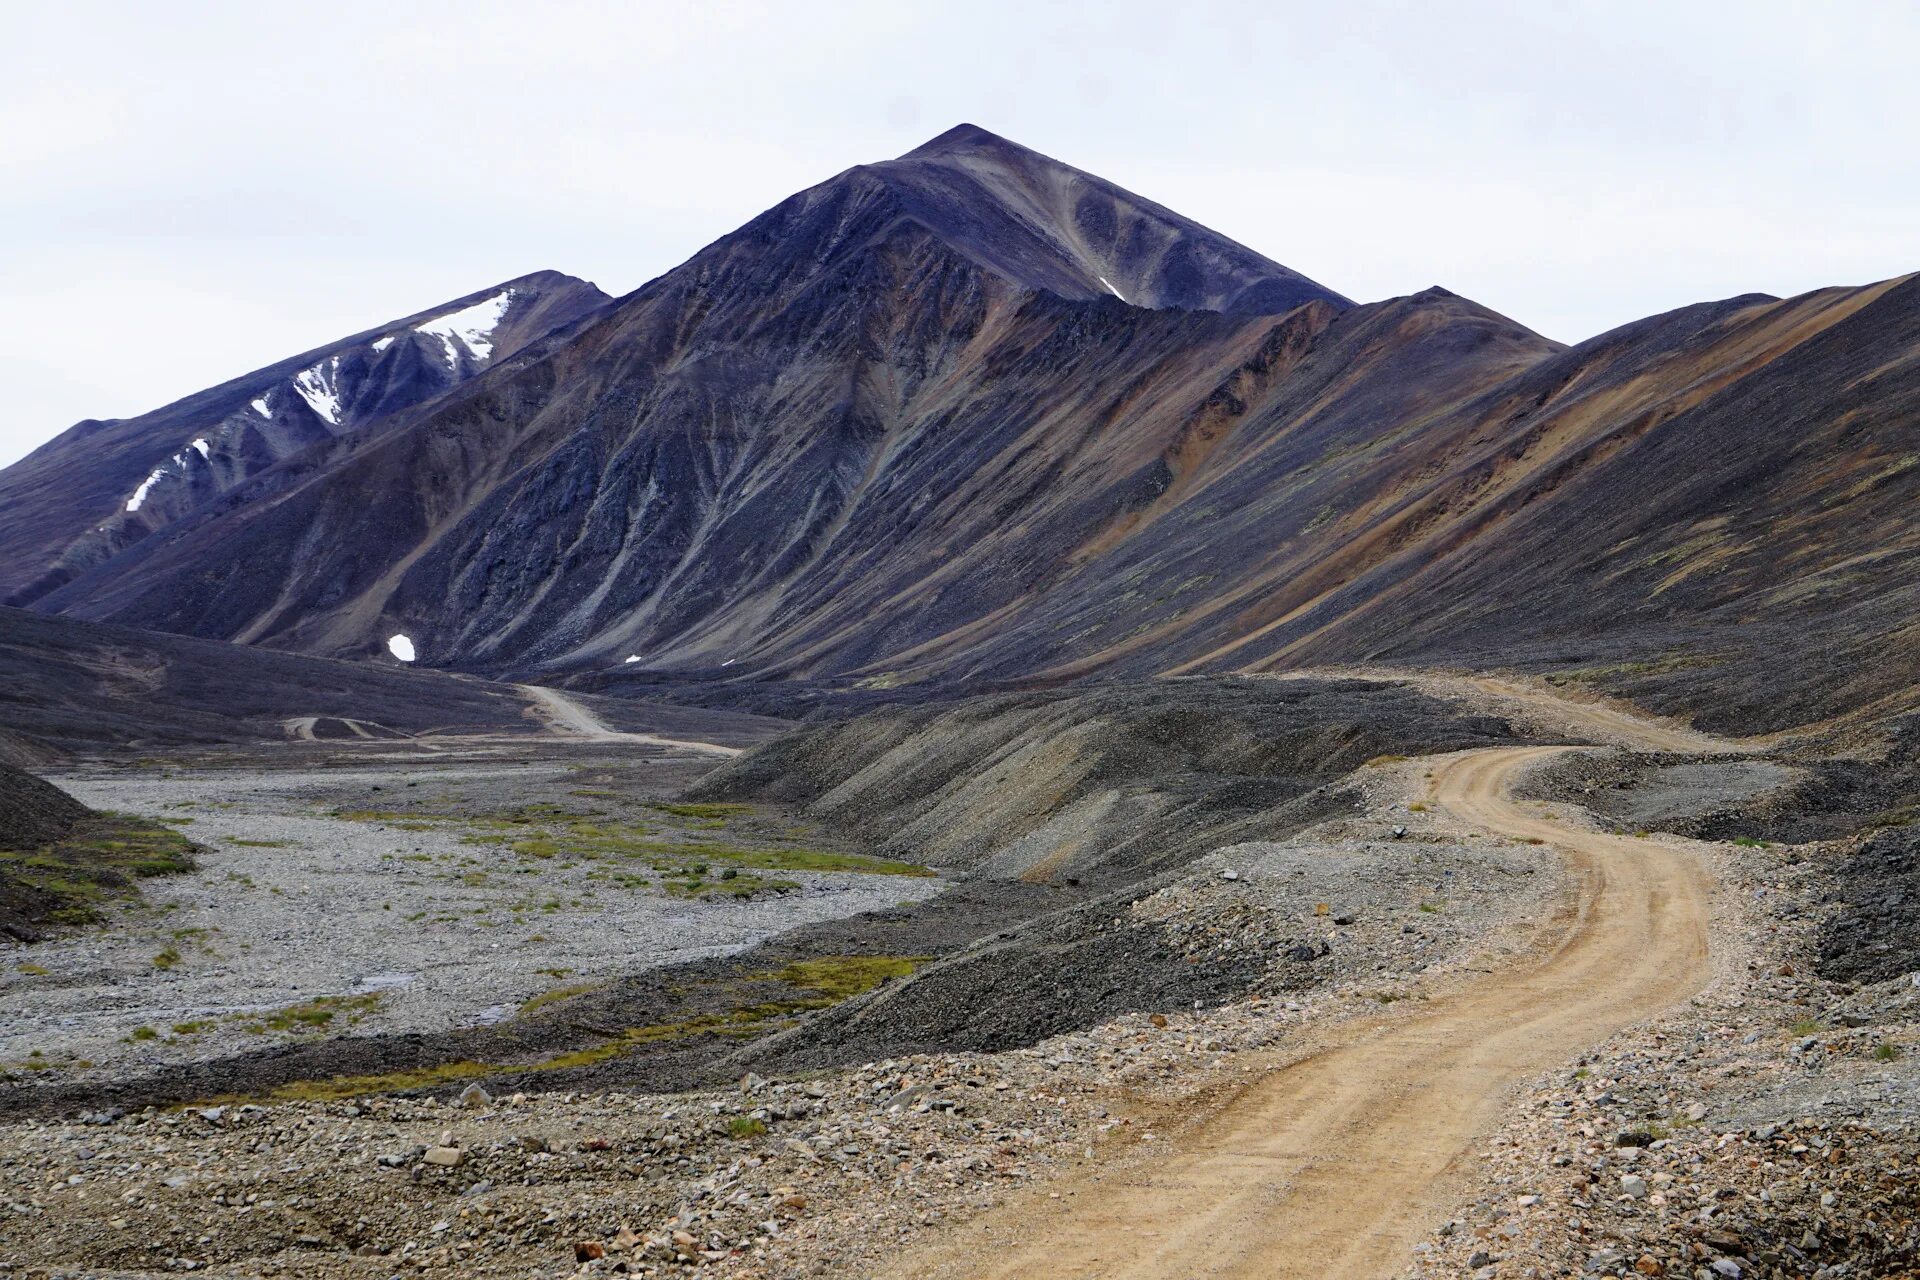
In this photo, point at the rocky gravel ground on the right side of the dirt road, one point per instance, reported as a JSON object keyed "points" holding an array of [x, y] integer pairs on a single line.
{"points": [[1769, 1129]]}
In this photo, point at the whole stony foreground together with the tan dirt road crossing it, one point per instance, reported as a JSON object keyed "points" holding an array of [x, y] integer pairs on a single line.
{"points": [[1527, 1049]]}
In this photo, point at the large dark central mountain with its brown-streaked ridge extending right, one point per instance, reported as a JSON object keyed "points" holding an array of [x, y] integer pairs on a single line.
{"points": [[976, 417]]}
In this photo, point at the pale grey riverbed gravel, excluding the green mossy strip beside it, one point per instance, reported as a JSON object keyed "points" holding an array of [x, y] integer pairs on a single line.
{"points": [[404, 924]]}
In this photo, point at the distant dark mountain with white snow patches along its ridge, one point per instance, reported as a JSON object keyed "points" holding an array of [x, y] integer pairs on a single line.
{"points": [[107, 485]]}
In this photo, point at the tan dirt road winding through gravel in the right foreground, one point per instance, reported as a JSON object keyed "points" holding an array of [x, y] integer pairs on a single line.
{"points": [[1337, 1164]]}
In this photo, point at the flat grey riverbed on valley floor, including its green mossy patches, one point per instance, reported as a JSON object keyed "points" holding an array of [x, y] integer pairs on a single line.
{"points": [[393, 891]]}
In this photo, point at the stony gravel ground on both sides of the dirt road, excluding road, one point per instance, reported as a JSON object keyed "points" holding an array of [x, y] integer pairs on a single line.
{"points": [[1767, 1129]]}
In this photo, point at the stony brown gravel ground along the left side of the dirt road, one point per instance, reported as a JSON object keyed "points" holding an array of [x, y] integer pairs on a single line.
{"points": [[807, 1177]]}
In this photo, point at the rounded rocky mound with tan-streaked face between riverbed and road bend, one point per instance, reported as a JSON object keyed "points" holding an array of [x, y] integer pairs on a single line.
{"points": [[1097, 786]]}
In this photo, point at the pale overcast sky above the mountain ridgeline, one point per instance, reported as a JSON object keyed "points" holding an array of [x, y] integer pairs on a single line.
{"points": [[191, 191]]}
